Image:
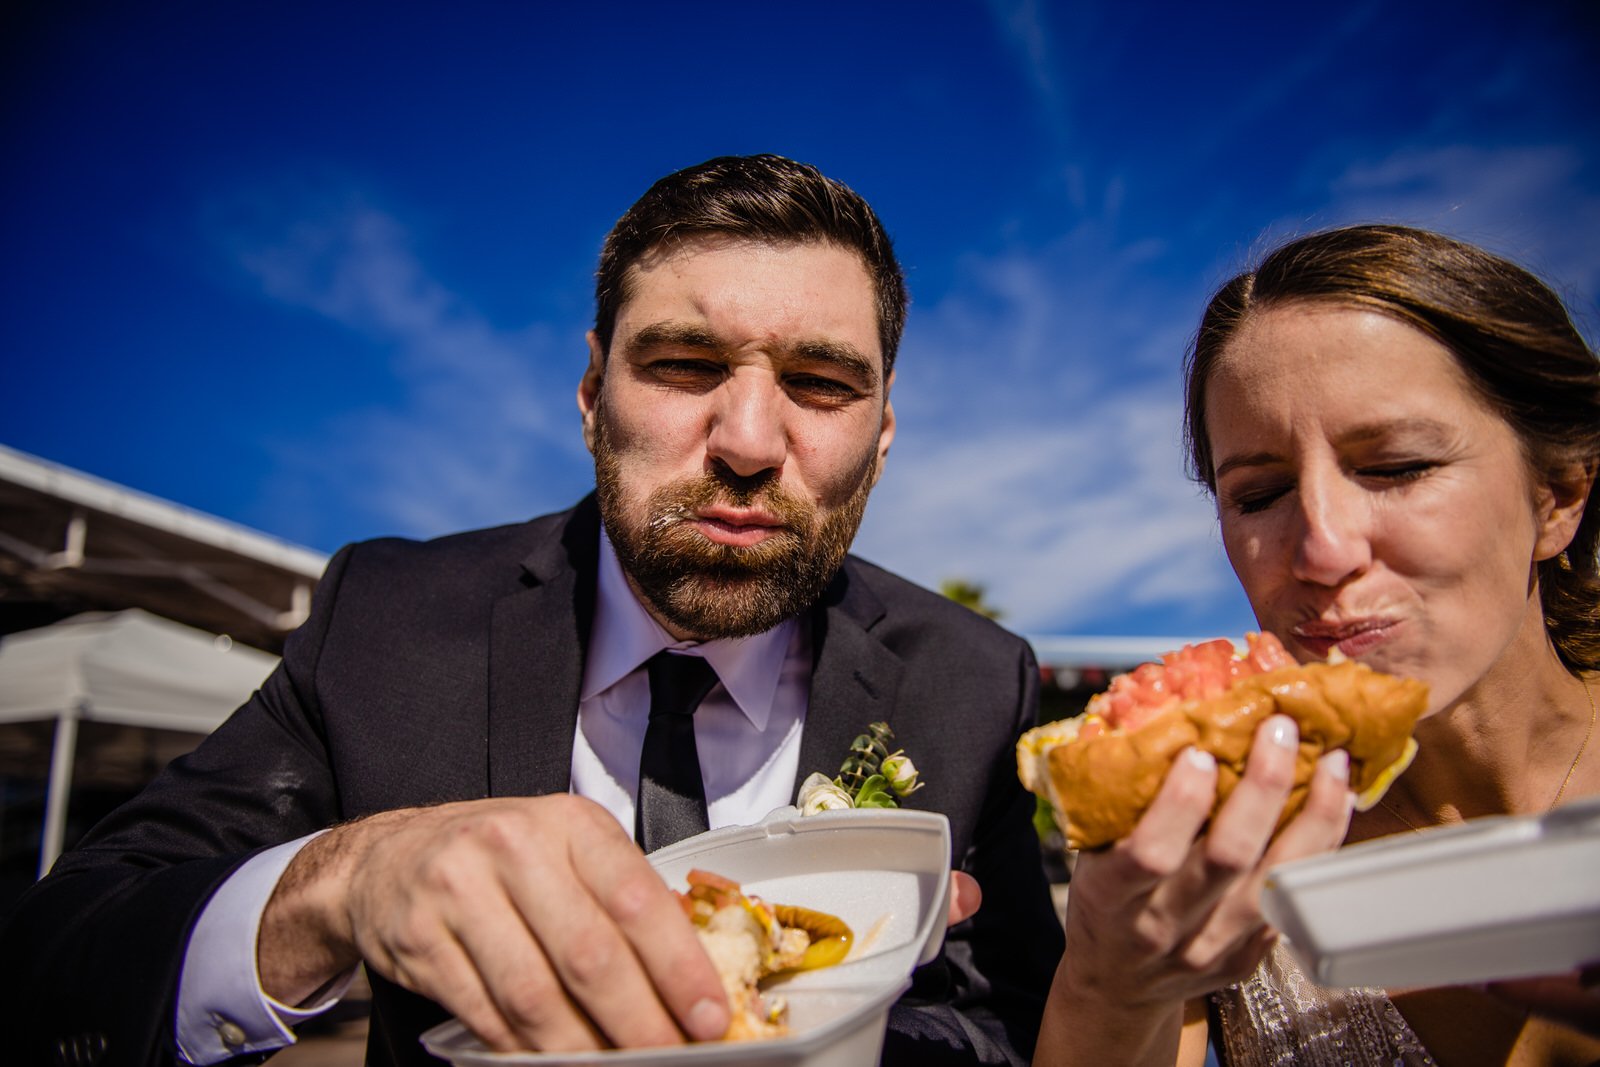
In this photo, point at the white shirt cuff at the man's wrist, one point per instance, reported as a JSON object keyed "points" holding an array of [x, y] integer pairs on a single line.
{"points": [[222, 1009]]}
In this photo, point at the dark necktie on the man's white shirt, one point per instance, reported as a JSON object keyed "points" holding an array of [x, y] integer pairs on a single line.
{"points": [[671, 794]]}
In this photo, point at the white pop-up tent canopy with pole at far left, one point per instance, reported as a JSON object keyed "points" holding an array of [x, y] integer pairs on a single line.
{"points": [[127, 668]]}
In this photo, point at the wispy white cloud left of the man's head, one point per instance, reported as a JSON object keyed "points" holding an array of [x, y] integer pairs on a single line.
{"points": [[482, 428]]}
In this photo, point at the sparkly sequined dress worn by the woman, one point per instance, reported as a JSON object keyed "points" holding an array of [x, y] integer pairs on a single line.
{"points": [[1279, 1018]]}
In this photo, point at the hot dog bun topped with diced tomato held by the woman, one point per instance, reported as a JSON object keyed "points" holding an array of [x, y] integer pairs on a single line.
{"points": [[1103, 769]]}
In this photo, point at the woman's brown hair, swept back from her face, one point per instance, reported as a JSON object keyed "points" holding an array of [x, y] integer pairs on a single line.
{"points": [[1510, 334]]}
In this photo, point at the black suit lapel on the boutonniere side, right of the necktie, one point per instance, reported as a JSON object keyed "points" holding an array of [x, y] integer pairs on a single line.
{"points": [[855, 679]]}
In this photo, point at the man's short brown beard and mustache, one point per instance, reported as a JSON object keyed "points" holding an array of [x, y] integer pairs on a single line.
{"points": [[708, 589]]}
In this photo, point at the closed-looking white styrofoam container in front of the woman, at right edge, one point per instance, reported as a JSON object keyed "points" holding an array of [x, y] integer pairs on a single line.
{"points": [[1497, 898]]}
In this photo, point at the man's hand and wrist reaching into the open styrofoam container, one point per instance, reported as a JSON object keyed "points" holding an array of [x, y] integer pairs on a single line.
{"points": [[537, 922]]}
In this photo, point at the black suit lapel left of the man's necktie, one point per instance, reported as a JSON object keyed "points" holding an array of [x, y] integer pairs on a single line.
{"points": [[537, 660]]}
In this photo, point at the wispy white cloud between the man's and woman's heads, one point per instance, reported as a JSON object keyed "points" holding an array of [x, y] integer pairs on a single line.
{"points": [[1041, 444]]}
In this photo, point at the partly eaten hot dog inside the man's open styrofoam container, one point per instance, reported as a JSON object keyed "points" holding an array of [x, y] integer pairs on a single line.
{"points": [[750, 940]]}
